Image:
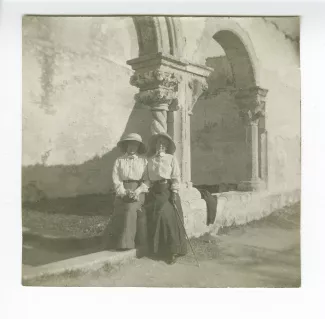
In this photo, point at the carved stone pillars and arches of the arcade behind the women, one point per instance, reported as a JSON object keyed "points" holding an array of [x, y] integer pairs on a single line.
{"points": [[170, 86]]}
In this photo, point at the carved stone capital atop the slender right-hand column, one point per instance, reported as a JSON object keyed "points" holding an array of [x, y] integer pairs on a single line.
{"points": [[251, 103]]}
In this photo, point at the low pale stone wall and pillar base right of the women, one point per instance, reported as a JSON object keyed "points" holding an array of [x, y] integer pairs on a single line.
{"points": [[233, 208]]}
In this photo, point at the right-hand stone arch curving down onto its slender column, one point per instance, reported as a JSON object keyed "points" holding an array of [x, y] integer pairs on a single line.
{"points": [[249, 96]]}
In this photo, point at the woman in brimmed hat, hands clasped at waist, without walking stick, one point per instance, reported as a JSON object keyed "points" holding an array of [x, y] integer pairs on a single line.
{"points": [[128, 227]]}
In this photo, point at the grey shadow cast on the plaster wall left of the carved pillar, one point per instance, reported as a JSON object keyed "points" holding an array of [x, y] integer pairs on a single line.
{"points": [[78, 189]]}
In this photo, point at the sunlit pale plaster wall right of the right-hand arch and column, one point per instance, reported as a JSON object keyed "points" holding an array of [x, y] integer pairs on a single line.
{"points": [[280, 73]]}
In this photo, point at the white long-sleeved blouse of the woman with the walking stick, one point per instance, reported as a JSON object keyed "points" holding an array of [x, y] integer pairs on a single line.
{"points": [[164, 166]]}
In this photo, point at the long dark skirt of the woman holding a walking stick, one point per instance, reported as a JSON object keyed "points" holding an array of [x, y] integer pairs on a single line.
{"points": [[165, 223]]}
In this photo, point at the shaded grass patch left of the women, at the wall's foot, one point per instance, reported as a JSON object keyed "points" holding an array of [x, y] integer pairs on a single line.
{"points": [[81, 216]]}
